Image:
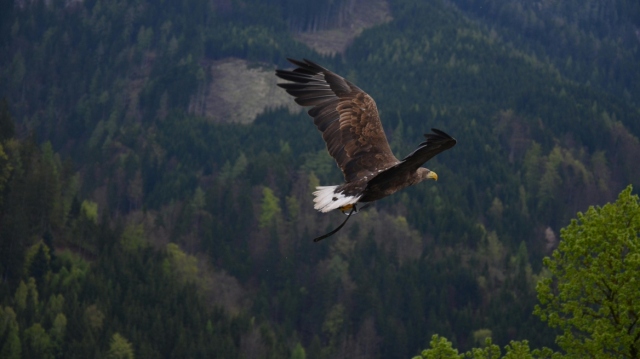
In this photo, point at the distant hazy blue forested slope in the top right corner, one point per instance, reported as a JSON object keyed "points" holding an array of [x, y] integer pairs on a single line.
{"points": [[594, 42]]}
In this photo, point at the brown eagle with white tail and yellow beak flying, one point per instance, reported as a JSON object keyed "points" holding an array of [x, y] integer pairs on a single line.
{"points": [[350, 125]]}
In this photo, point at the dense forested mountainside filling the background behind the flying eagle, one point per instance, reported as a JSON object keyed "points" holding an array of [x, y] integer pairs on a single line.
{"points": [[130, 226]]}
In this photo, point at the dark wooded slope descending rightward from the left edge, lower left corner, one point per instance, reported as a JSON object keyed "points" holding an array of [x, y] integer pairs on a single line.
{"points": [[74, 287]]}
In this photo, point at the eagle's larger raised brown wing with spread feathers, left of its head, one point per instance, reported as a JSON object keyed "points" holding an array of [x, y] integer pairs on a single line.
{"points": [[347, 117]]}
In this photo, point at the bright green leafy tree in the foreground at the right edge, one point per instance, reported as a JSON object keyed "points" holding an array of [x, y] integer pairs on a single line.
{"points": [[592, 292]]}
